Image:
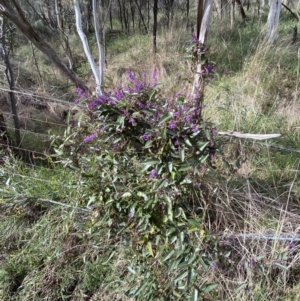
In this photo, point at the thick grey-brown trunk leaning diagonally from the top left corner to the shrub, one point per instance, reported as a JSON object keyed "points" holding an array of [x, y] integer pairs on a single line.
{"points": [[12, 11]]}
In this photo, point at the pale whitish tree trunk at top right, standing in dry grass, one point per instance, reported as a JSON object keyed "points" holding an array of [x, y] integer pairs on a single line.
{"points": [[273, 20]]}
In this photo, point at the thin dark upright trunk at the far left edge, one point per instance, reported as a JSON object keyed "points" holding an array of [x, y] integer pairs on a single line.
{"points": [[11, 82]]}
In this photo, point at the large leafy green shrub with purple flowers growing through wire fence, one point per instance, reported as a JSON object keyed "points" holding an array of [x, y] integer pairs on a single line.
{"points": [[143, 161]]}
